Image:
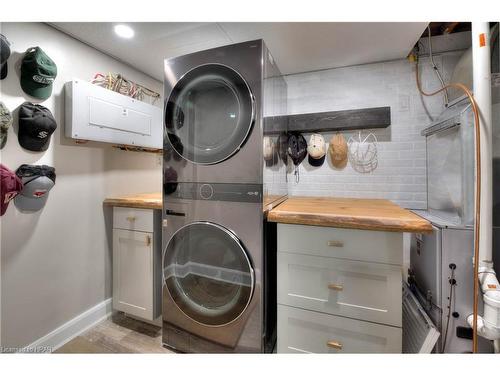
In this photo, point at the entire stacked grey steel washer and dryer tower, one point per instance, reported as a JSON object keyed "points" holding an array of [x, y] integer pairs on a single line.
{"points": [[219, 286]]}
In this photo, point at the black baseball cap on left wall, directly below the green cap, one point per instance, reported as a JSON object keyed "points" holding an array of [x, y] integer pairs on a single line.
{"points": [[36, 125]]}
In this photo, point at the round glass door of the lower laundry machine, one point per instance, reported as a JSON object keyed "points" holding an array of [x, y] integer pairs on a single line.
{"points": [[208, 273]]}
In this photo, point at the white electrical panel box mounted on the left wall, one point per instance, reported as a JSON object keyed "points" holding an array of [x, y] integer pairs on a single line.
{"points": [[96, 114]]}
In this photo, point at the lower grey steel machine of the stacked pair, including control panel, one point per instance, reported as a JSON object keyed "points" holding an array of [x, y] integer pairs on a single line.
{"points": [[219, 285]]}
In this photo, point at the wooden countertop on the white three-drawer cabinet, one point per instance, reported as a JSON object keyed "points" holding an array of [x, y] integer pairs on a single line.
{"points": [[370, 214]]}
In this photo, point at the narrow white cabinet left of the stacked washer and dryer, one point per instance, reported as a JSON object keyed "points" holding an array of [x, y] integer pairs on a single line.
{"points": [[136, 262]]}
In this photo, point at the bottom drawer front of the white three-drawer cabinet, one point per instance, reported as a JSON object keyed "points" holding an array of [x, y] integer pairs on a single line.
{"points": [[302, 331]]}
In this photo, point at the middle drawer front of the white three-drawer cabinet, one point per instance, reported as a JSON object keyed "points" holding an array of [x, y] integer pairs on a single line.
{"points": [[354, 289]]}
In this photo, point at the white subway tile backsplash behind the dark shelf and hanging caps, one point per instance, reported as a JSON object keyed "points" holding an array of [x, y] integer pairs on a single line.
{"points": [[401, 172]]}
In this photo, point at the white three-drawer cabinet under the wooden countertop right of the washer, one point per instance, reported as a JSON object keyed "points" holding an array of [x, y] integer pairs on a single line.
{"points": [[339, 290]]}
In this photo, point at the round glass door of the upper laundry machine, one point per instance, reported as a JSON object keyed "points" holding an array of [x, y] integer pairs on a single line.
{"points": [[209, 114]]}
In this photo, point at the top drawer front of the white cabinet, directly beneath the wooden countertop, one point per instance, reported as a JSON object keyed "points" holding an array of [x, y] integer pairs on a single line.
{"points": [[354, 244]]}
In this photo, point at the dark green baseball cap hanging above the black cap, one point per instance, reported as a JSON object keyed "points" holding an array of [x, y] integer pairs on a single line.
{"points": [[38, 73]]}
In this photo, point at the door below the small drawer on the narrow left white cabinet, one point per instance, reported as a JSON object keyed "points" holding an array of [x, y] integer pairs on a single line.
{"points": [[133, 273]]}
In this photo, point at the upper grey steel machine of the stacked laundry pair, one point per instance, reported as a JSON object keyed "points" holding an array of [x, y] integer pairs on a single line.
{"points": [[214, 113]]}
